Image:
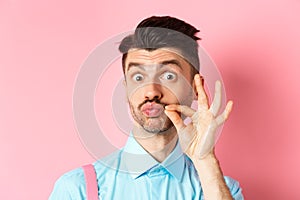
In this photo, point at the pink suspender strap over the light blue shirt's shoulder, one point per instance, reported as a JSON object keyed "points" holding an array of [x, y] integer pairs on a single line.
{"points": [[91, 182]]}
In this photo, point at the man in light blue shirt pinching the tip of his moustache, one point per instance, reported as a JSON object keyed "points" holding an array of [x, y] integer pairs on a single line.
{"points": [[163, 158]]}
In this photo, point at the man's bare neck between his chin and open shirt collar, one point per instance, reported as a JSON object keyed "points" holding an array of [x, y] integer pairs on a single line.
{"points": [[159, 146]]}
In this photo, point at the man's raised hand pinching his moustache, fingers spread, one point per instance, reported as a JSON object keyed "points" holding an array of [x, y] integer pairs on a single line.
{"points": [[198, 138]]}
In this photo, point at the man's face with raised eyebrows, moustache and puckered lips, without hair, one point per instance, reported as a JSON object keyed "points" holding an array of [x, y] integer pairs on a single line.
{"points": [[155, 79]]}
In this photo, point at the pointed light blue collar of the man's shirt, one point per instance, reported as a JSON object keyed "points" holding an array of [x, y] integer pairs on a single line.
{"points": [[136, 161]]}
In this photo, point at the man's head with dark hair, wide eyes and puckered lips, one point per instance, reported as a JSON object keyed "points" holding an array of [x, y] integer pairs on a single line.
{"points": [[159, 62]]}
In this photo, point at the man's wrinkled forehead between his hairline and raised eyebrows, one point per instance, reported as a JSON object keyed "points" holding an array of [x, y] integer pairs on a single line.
{"points": [[146, 57]]}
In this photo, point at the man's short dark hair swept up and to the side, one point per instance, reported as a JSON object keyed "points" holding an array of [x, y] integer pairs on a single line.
{"points": [[165, 31]]}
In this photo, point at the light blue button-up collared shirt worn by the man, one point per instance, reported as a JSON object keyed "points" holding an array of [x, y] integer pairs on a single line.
{"points": [[131, 173]]}
